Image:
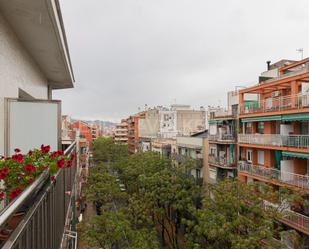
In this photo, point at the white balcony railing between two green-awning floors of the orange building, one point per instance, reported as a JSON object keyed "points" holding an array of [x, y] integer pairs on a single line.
{"points": [[298, 141]]}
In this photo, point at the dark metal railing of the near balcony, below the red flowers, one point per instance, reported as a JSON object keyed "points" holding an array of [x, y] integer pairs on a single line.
{"points": [[45, 208]]}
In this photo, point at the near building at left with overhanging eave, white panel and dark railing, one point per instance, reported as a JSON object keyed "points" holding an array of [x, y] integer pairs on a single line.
{"points": [[35, 61]]}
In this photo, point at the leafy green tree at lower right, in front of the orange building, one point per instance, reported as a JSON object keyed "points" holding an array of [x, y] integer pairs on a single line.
{"points": [[232, 216]]}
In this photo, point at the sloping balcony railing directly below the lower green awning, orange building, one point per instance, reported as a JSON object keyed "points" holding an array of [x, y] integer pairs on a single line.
{"points": [[297, 180]]}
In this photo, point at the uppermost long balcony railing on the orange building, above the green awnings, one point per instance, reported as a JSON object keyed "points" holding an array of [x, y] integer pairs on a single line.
{"points": [[273, 104]]}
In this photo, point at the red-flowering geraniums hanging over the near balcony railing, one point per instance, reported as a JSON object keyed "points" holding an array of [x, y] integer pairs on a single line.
{"points": [[20, 170]]}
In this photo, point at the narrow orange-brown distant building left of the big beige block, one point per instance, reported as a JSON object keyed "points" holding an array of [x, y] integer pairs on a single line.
{"points": [[133, 131]]}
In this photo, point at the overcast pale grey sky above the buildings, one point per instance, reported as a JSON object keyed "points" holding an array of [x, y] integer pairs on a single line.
{"points": [[130, 53]]}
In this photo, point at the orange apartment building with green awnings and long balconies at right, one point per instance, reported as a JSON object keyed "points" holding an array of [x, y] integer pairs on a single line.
{"points": [[274, 134]]}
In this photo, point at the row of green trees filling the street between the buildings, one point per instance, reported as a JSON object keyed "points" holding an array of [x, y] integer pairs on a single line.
{"points": [[163, 207]]}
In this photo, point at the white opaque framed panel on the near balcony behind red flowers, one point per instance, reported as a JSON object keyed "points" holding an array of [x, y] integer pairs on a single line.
{"points": [[30, 123]]}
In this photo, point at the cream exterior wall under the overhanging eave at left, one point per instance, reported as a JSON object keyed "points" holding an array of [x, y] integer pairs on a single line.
{"points": [[17, 70]]}
